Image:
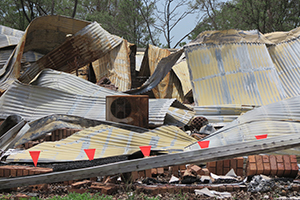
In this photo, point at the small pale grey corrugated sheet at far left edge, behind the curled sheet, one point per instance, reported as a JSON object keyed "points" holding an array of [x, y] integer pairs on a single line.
{"points": [[9, 36]]}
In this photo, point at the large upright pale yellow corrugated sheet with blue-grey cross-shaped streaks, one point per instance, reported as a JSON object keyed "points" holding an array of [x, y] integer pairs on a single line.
{"points": [[240, 74]]}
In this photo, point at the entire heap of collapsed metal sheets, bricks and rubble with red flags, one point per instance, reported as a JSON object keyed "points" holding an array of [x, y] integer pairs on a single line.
{"points": [[85, 110]]}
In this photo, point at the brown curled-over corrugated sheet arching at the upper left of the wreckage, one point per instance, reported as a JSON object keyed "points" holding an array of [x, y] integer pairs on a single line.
{"points": [[44, 34]]}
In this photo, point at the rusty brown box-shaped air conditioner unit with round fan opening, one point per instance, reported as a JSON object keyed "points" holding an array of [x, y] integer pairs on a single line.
{"points": [[128, 109]]}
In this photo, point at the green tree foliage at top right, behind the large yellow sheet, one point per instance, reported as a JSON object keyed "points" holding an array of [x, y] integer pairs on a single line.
{"points": [[263, 15]]}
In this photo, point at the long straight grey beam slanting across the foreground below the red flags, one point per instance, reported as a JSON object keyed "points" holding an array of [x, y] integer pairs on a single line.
{"points": [[196, 156]]}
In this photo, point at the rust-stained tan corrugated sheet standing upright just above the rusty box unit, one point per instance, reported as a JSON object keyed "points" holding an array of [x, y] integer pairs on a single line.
{"points": [[115, 65]]}
